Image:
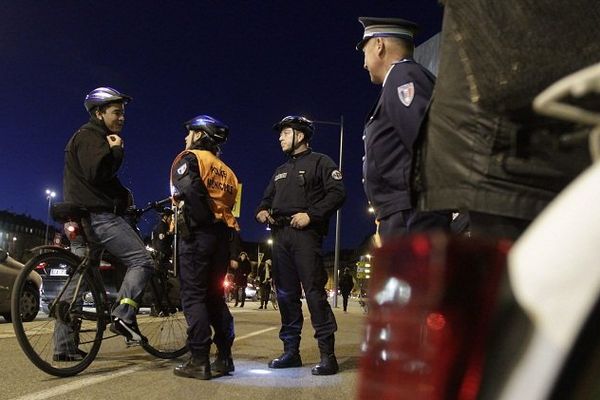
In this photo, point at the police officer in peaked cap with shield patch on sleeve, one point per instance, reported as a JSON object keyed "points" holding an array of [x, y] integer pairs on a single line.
{"points": [[393, 124]]}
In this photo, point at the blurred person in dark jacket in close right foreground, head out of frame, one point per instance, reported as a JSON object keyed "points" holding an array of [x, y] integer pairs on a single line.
{"points": [[483, 149]]}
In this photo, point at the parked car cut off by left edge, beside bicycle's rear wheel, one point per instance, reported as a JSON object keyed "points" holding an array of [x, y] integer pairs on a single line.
{"points": [[30, 301]]}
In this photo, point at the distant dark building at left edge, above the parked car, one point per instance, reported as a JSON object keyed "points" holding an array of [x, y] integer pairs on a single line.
{"points": [[19, 233]]}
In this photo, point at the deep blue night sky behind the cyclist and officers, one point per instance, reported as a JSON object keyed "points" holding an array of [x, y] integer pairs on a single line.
{"points": [[247, 63]]}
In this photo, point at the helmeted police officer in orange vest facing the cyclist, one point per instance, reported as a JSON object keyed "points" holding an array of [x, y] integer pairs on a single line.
{"points": [[204, 189]]}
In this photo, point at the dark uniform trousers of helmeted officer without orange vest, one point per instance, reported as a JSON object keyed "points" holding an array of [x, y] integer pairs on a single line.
{"points": [[297, 265]]}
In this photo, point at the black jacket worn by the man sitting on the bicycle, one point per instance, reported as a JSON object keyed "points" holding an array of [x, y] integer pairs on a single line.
{"points": [[90, 173]]}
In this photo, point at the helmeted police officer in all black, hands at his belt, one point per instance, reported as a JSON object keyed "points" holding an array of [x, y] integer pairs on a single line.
{"points": [[301, 197]]}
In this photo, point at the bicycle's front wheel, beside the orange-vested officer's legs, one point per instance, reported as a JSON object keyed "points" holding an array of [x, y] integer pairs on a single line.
{"points": [[165, 326]]}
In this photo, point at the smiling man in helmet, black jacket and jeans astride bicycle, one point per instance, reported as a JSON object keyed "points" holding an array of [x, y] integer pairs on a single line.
{"points": [[93, 157]]}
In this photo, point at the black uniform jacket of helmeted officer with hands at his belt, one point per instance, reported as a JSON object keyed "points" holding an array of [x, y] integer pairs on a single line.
{"points": [[308, 182]]}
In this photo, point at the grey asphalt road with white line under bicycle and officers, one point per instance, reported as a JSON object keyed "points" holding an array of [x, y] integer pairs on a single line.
{"points": [[130, 373]]}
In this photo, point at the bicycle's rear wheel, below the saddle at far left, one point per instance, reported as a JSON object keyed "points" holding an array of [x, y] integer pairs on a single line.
{"points": [[66, 340]]}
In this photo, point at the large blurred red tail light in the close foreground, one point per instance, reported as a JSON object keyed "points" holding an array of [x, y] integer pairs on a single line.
{"points": [[430, 308]]}
